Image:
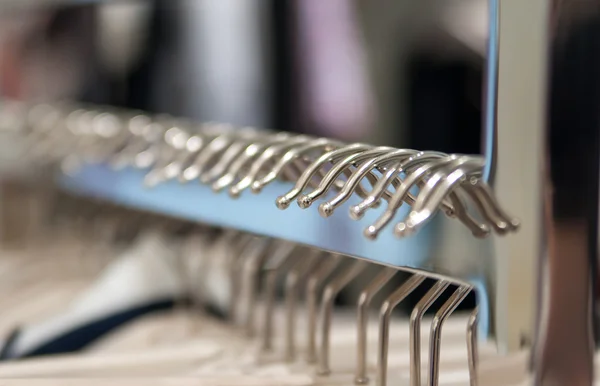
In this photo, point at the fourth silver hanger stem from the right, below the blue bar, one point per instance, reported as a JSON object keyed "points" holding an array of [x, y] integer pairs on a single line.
{"points": [[384, 324]]}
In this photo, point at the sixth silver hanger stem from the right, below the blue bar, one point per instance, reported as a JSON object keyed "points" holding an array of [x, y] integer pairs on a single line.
{"points": [[329, 294]]}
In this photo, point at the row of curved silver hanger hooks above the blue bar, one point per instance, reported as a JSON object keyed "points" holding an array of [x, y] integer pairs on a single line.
{"points": [[238, 159]]}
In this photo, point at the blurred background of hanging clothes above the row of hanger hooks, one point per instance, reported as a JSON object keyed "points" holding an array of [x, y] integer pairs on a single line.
{"points": [[400, 73]]}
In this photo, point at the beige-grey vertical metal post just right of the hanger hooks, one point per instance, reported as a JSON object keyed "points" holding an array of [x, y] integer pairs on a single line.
{"points": [[520, 49]]}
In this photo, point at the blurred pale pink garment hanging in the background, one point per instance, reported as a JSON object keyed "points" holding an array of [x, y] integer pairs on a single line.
{"points": [[334, 89]]}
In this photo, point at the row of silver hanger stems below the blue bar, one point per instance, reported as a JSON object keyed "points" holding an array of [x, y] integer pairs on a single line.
{"points": [[255, 268]]}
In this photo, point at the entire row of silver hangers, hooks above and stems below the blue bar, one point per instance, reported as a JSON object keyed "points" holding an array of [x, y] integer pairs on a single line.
{"points": [[238, 159]]}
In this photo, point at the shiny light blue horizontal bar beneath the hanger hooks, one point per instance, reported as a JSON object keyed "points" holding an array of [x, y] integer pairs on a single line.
{"points": [[258, 214]]}
